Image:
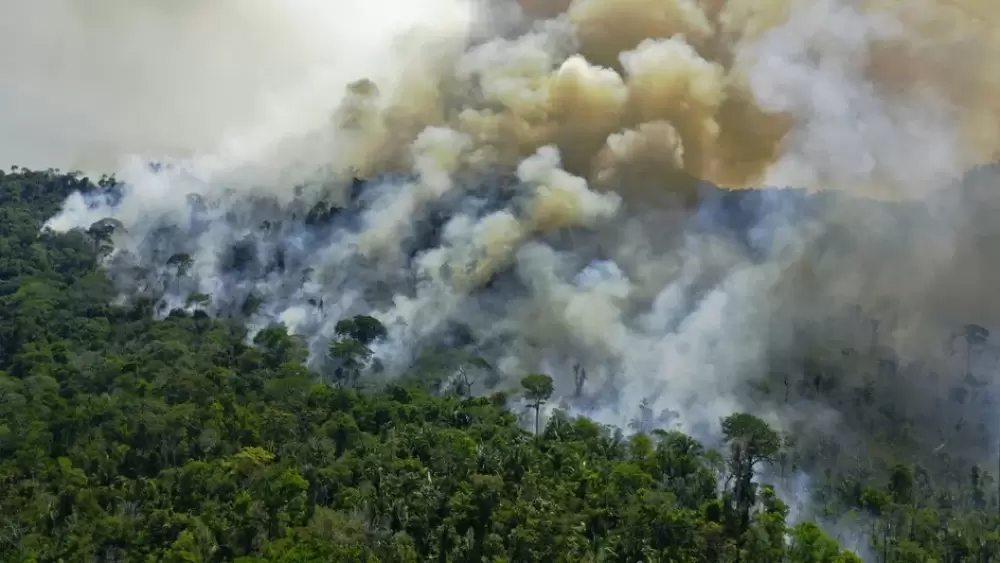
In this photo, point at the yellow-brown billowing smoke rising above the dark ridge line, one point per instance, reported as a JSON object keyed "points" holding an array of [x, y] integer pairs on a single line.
{"points": [[644, 96]]}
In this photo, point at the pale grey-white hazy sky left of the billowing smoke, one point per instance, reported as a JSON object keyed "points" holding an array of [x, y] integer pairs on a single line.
{"points": [[88, 83]]}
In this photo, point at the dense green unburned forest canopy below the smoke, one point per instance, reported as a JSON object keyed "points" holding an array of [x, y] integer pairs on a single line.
{"points": [[125, 438]]}
